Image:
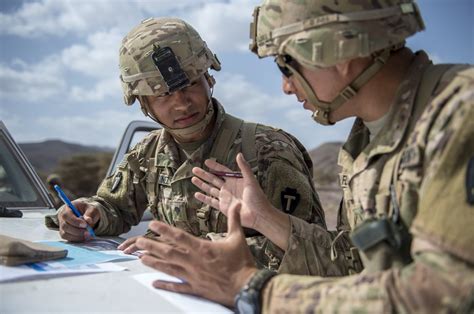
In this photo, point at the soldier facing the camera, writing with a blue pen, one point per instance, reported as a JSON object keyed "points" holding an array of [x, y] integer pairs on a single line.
{"points": [[164, 65]]}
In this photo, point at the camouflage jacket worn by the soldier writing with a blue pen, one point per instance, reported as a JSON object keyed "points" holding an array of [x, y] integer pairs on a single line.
{"points": [[156, 174]]}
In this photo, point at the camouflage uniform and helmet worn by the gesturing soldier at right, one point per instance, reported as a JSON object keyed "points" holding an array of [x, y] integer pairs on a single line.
{"points": [[408, 194]]}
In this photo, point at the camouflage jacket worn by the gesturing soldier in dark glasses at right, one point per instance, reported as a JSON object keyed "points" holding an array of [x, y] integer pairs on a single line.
{"points": [[416, 175]]}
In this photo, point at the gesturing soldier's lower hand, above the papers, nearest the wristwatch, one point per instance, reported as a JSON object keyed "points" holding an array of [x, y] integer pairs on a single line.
{"points": [[213, 270]]}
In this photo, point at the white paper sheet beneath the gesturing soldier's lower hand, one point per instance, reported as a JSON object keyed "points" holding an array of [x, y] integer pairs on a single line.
{"points": [[187, 303]]}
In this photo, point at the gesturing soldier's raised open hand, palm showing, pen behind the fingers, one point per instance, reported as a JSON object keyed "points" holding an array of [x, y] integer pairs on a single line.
{"points": [[223, 193]]}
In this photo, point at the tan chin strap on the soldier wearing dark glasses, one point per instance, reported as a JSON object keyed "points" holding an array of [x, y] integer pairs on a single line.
{"points": [[323, 109]]}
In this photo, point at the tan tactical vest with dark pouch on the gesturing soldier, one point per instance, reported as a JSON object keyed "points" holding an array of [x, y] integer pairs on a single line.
{"points": [[384, 237]]}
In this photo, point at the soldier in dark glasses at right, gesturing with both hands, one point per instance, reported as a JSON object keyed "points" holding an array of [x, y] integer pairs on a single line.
{"points": [[407, 172]]}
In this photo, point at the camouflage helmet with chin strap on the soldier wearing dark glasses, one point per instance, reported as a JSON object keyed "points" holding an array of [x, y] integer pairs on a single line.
{"points": [[323, 33]]}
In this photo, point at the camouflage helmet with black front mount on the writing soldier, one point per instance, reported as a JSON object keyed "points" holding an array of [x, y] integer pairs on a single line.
{"points": [[162, 55]]}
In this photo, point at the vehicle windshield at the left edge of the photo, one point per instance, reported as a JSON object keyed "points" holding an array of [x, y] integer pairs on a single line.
{"points": [[17, 188]]}
